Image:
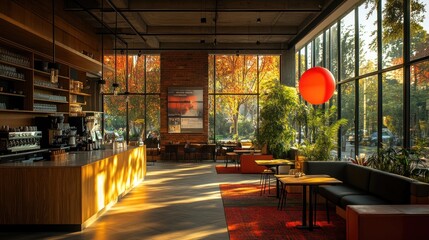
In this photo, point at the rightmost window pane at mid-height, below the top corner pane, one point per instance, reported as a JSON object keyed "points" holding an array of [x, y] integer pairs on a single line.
{"points": [[419, 105]]}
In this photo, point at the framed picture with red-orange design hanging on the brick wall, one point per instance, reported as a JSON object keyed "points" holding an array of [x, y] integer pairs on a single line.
{"points": [[185, 110]]}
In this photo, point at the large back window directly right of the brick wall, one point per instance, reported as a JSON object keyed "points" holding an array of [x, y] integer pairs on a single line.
{"points": [[235, 83]]}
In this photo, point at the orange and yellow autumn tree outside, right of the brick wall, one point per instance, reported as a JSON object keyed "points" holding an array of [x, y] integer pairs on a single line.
{"points": [[237, 83]]}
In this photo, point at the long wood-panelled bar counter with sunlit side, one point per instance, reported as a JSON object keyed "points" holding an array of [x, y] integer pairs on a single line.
{"points": [[69, 194]]}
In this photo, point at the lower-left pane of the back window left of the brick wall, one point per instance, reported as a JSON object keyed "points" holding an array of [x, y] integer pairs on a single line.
{"points": [[115, 115]]}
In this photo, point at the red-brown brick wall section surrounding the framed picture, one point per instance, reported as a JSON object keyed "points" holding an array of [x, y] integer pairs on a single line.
{"points": [[183, 69]]}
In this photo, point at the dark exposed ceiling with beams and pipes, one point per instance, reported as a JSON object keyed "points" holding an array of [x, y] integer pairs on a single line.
{"points": [[214, 25]]}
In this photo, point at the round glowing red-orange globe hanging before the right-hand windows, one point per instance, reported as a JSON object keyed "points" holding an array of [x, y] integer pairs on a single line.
{"points": [[317, 85]]}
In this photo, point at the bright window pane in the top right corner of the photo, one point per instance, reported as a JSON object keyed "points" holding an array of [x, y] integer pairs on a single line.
{"points": [[419, 28]]}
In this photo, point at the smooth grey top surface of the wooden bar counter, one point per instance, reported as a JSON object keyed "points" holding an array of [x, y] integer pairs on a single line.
{"points": [[74, 159]]}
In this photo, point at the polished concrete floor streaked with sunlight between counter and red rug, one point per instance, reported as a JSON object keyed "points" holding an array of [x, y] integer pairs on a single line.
{"points": [[176, 201]]}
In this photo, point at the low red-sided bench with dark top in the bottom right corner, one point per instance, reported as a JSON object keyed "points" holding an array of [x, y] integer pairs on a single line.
{"points": [[393, 222]]}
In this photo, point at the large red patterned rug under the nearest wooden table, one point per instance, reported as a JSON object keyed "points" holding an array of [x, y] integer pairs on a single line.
{"points": [[247, 218]]}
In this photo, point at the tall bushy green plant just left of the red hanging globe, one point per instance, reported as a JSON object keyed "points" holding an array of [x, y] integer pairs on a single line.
{"points": [[276, 130]]}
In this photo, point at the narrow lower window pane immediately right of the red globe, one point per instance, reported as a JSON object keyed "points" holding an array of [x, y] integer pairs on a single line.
{"points": [[348, 112]]}
